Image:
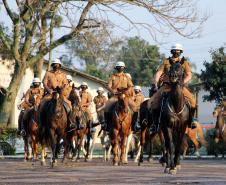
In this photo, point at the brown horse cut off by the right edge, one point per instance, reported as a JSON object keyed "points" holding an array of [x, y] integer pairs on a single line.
{"points": [[220, 130]]}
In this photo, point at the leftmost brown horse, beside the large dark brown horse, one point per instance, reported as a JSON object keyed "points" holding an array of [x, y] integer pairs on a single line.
{"points": [[30, 122]]}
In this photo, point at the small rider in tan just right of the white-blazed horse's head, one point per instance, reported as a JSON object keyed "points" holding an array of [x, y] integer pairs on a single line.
{"points": [[86, 100]]}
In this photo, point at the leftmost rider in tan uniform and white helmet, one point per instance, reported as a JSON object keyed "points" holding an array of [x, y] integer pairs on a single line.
{"points": [[35, 89]]}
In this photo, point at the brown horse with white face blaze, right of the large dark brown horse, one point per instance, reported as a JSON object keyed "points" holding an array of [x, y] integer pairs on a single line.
{"points": [[75, 137]]}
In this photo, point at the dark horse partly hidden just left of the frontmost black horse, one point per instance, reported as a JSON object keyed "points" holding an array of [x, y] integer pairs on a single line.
{"points": [[146, 121]]}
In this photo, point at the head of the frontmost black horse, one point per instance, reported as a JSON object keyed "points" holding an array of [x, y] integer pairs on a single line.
{"points": [[175, 73]]}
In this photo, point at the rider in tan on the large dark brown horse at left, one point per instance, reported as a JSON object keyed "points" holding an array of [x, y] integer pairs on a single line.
{"points": [[56, 78]]}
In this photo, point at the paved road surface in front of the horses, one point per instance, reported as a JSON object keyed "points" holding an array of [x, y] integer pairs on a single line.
{"points": [[99, 173]]}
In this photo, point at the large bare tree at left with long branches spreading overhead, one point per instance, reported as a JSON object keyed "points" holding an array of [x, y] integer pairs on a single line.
{"points": [[30, 18]]}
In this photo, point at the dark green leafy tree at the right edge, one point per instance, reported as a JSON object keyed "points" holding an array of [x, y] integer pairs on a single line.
{"points": [[214, 76]]}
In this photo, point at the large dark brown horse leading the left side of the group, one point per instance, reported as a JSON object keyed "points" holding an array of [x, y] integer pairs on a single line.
{"points": [[53, 124]]}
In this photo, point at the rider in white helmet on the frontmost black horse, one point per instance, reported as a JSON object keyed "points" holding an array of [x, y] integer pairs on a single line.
{"points": [[162, 73]]}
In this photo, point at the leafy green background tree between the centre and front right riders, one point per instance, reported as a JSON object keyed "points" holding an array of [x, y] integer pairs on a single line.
{"points": [[141, 59]]}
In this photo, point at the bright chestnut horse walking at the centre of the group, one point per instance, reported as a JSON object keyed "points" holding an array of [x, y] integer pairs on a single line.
{"points": [[121, 119]]}
